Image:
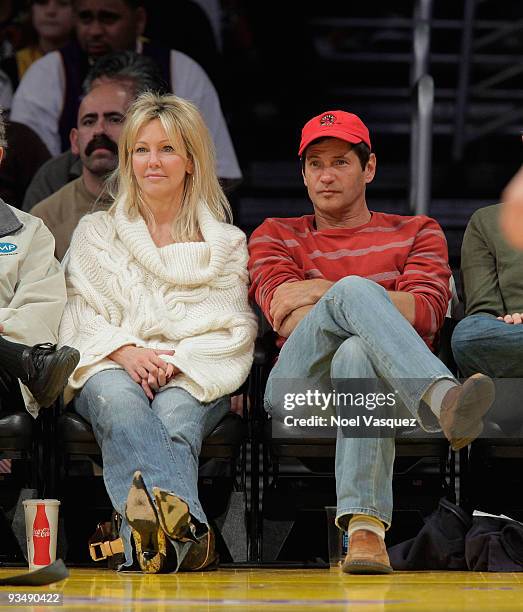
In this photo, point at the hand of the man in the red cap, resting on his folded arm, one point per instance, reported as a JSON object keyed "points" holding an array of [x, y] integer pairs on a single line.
{"points": [[290, 296]]}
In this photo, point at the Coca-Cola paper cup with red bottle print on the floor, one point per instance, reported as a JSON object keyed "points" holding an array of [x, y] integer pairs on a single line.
{"points": [[41, 528]]}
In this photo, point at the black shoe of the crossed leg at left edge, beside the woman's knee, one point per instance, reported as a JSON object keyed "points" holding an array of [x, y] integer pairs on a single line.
{"points": [[48, 370]]}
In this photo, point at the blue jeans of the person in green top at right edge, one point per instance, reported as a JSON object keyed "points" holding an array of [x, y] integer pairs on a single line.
{"points": [[481, 343]]}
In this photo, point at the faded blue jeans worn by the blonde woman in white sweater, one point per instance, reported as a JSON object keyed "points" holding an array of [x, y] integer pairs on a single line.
{"points": [[162, 439]]}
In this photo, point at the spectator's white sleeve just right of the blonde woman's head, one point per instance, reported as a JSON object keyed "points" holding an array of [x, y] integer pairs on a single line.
{"points": [[192, 83]]}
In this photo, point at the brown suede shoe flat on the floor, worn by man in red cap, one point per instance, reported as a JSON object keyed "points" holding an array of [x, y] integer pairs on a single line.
{"points": [[366, 555]]}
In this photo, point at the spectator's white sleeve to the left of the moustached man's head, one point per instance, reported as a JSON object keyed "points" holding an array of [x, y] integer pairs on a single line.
{"points": [[38, 100]]}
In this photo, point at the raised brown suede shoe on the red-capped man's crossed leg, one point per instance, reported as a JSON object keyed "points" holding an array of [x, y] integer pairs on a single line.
{"points": [[463, 409]]}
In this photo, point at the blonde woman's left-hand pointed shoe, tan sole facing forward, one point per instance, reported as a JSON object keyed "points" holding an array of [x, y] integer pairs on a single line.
{"points": [[154, 552]]}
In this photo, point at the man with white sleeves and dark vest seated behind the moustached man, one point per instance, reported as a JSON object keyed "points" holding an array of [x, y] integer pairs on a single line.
{"points": [[48, 102]]}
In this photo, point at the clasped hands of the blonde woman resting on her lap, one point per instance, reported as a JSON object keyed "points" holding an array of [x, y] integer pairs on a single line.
{"points": [[145, 366]]}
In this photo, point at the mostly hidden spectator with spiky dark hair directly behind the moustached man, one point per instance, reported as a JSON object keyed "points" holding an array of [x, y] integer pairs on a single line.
{"points": [[137, 72]]}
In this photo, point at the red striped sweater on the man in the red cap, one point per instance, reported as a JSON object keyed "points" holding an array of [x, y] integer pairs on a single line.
{"points": [[400, 253]]}
